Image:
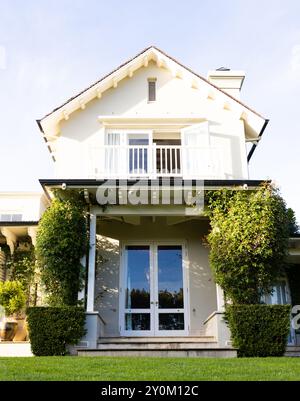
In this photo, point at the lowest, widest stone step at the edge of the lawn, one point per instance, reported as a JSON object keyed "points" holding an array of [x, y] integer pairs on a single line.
{"points": [[171, 353]]}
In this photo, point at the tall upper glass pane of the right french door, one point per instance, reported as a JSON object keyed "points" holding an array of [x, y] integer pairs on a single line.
{"points": [[170, 281]]}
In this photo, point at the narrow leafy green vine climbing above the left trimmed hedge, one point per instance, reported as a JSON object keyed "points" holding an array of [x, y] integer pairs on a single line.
{"points": [[61, 242]]}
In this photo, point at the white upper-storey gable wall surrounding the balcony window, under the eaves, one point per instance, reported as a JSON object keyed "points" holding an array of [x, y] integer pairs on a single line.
{"points": [[174, 97]]}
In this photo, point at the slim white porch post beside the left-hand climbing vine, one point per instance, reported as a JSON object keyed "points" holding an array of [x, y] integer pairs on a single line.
{"points": [[92, 265]]}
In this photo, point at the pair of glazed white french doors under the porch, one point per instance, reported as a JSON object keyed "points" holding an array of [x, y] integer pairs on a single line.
{"points": [[153, 290]]}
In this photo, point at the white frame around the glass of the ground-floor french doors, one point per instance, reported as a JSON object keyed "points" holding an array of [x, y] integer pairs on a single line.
{"points": [[153, 244]]}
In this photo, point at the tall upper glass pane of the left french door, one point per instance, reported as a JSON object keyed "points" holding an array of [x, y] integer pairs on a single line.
{"points": [[138, 277]]}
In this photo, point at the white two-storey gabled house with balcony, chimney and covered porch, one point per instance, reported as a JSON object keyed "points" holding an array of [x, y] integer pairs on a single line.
{"points": [[144, 143]]}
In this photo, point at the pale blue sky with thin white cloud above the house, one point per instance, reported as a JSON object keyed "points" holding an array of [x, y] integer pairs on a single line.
{"points": [[51, 49]]}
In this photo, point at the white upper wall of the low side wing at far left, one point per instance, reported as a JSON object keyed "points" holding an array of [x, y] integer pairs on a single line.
{"points": [[30, 205]]}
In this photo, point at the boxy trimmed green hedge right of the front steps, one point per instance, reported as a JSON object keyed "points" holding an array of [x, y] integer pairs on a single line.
{"points": [[259, 330]]}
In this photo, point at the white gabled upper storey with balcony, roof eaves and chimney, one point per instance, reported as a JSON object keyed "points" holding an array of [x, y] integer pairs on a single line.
{"points": [[193, 128]]}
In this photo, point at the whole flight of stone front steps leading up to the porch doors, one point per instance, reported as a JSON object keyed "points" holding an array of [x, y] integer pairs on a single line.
{"points": [[159, 347]]}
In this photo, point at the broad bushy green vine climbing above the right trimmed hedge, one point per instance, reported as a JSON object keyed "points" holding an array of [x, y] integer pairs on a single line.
{"points": [[248, 241]]}
